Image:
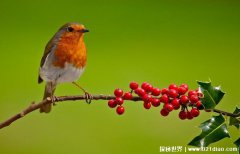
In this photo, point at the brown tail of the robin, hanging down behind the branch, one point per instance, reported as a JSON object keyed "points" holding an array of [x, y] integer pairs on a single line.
{"points": [[49, 90]]}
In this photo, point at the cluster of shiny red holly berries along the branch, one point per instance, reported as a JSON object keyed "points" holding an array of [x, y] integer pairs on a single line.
{"points": [[174, 97]]}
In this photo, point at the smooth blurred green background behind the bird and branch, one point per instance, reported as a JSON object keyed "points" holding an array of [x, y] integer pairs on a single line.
{"points": [[162, 42]]}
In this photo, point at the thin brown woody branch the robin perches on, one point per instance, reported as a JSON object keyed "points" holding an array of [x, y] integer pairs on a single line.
{"points": [[35, 106]]}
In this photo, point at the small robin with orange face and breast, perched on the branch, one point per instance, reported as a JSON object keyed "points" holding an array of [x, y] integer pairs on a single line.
{"points": [[64, 59]]}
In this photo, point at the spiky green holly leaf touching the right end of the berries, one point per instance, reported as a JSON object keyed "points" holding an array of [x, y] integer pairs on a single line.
{"points": [[212, 95]]}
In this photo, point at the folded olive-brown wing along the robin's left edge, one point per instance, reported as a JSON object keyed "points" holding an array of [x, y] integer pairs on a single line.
{"points": [[47, 50]]}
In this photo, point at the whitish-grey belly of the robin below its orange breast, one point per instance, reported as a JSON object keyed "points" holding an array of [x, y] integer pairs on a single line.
{"points": [[50, 73]]}
